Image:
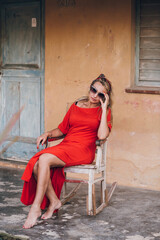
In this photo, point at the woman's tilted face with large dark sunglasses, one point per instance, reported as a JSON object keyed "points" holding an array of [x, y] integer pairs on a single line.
{"points": [[96, 93]]}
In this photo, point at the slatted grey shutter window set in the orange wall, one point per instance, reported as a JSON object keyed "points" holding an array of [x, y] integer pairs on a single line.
{"points": [[147, 43]]}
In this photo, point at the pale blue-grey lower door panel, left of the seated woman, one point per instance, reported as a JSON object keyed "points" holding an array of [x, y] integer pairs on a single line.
{"points": [[23, 92]]}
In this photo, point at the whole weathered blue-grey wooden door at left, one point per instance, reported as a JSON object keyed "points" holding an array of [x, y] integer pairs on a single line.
{"points": [[22, 73]]}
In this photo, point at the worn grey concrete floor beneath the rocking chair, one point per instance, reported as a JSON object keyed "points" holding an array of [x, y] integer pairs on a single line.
{"points": [[133, 214]]}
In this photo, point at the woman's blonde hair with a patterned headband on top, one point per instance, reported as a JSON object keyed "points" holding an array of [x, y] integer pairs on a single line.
{"points": [[107, 85]]}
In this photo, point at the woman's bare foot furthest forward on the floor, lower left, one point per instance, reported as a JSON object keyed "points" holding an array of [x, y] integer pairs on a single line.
{"points": [[34, 213]]}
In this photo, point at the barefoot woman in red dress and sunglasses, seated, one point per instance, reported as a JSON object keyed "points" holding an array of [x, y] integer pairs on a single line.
{"points": [[85, 121]]}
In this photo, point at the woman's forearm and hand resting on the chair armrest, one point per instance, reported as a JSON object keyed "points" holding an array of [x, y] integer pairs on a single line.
{"points": [[53, 133]]}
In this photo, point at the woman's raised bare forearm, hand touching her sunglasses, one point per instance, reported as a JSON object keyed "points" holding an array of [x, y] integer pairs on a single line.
{"points": [[103, 130]]}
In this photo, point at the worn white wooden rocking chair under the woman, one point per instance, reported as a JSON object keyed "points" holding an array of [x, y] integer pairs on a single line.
{"points": [[97, 167]]}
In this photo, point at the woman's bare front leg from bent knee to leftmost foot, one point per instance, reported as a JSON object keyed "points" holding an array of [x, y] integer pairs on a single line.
{"points": [[45, 162]]}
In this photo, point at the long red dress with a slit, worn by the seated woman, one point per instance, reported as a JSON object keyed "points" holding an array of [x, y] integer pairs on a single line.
{"points": [[78, 147]]}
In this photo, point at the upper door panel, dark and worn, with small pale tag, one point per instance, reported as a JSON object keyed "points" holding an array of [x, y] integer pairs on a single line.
{"points": [[21, 31]]}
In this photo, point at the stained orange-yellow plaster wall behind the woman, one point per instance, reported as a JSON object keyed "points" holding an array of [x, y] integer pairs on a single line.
{"points": [[80, 43]]}
